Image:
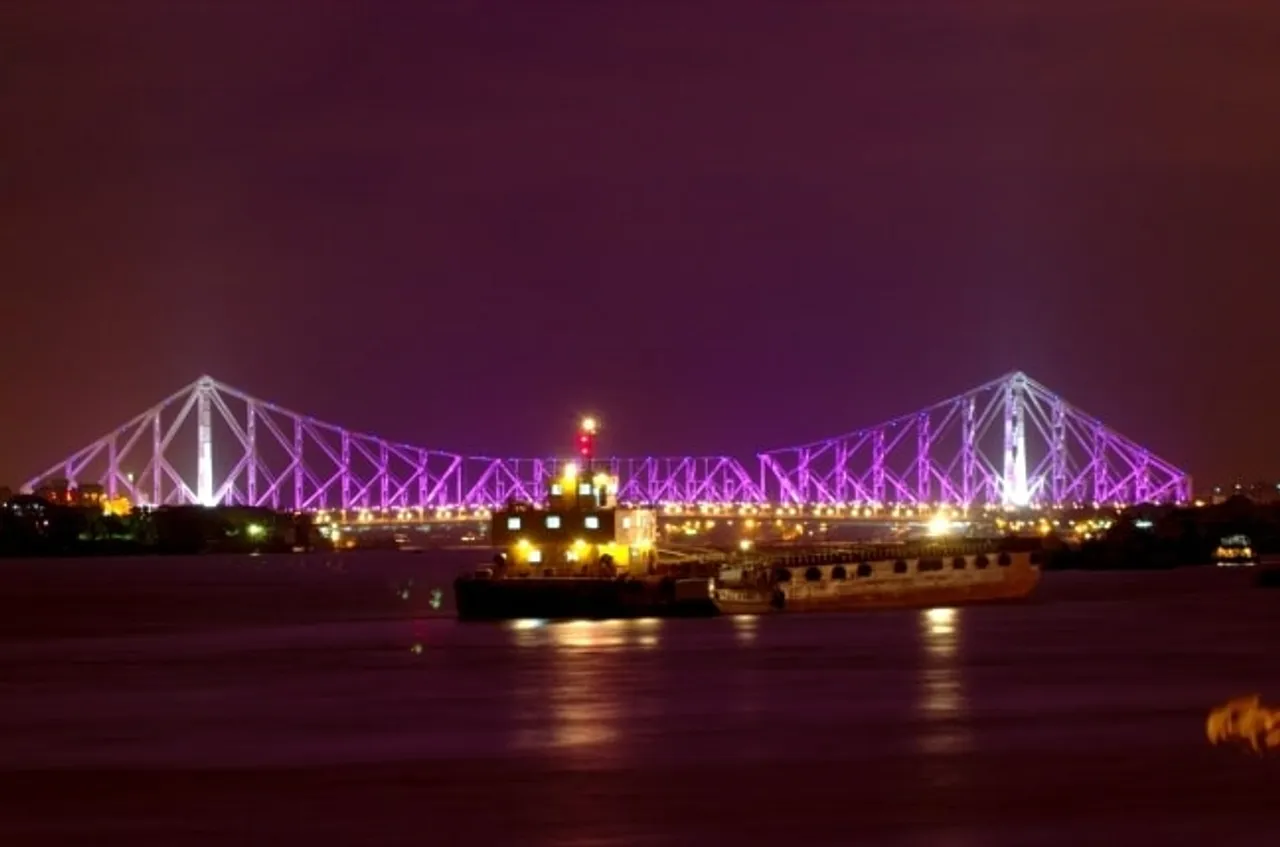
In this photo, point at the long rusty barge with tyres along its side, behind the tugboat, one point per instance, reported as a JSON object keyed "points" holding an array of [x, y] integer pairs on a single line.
{"points": [[884, 578]]}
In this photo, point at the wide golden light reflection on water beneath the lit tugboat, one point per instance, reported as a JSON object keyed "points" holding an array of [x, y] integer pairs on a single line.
{"points": [[573, 690]]}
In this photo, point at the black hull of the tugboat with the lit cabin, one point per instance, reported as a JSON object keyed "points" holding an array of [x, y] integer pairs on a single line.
{"points": [[574, 598]]}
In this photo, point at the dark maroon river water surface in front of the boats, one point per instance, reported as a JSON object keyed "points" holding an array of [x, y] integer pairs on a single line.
{"points": [[326, 702]]}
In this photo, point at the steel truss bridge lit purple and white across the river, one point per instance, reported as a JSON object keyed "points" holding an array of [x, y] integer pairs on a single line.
{"points": [[1009, 443]]}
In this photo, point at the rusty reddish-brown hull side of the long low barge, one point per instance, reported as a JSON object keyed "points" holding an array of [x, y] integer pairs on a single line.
{"points": [[883, 585]]}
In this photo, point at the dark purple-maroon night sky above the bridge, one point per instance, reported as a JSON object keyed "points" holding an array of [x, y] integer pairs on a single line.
{"points": [[724, 227]]}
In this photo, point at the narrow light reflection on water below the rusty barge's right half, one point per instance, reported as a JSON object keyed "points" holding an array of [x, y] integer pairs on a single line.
{"points": [[943, 702]]}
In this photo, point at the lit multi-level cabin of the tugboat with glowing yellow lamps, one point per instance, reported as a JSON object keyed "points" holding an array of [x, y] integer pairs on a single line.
{"points": [[582, 532]]}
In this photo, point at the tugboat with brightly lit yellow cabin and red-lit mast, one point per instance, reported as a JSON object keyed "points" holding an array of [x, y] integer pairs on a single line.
{"points": [[579, 556]]}
